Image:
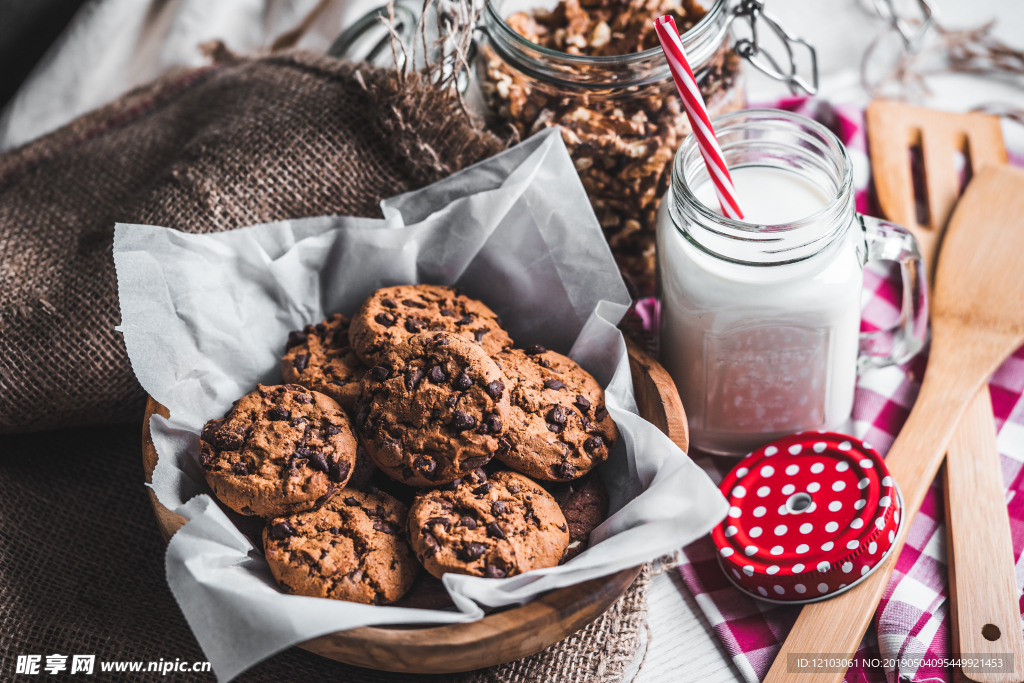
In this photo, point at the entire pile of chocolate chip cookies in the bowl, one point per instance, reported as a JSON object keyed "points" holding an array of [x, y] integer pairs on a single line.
{"points": [[414, 436]]}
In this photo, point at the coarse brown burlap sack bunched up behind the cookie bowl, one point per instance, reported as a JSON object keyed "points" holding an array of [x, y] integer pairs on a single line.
{"points": [[235, 145]]}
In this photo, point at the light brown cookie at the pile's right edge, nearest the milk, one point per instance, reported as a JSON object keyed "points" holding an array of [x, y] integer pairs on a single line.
{"points": [[560, 428]]}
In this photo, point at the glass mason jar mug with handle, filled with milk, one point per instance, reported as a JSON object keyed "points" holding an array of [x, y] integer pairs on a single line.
{"points": [[761, 324]]}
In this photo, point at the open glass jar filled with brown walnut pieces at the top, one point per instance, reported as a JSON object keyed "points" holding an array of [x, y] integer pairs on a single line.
{"points": [[595, 68]]}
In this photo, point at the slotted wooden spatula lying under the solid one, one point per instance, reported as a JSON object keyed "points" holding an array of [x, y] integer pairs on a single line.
{"points": [[984, 597]]}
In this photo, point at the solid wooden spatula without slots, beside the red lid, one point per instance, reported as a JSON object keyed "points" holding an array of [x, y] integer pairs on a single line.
{"points": [[977, 323]]}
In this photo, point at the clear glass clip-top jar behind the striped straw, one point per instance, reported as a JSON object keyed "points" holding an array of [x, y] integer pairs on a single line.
{"points": [[621, 116]]}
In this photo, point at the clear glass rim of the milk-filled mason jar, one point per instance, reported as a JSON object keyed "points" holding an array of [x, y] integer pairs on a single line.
{"points": [[843, 191]]}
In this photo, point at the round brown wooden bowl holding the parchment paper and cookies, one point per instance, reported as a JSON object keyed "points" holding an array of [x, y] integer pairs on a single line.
{"points": [[501, 637]]}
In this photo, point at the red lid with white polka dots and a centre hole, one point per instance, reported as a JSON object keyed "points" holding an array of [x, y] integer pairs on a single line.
{"points": [[810, 516]]}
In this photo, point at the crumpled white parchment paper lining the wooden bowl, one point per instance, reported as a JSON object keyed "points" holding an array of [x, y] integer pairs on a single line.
{"points": [[206, 318]]}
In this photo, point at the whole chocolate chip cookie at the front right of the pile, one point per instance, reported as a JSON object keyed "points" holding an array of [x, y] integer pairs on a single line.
{"points": [[488, 527]]}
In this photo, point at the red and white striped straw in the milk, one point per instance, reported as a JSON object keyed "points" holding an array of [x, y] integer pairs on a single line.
{"points": [[697, 112]]}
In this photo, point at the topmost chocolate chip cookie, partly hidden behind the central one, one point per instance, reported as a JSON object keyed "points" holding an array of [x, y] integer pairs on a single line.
{"points": [[394, 315]]}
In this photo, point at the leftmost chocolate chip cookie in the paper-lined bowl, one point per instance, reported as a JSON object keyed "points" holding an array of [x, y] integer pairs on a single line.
{"points": [[280, 450]]}
